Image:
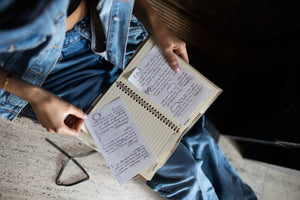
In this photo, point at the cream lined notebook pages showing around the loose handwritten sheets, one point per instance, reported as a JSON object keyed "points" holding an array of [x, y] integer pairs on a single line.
{"points": [[160, 136]]}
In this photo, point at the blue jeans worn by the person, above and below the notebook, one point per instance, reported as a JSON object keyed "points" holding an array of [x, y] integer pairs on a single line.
{"points": [[197, 170]]}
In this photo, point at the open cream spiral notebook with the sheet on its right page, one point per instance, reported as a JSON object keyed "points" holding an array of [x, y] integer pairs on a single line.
{"points": [[162, 103]]}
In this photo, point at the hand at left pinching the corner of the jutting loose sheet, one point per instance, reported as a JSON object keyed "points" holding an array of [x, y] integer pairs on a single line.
{"points": [[57, 115]]}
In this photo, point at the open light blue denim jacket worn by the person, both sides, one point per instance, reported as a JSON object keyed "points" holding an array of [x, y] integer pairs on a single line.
{"points": [[32, 50]]}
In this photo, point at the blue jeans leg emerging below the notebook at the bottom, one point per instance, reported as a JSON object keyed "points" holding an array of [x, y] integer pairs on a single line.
{"points": [[198, 169]]}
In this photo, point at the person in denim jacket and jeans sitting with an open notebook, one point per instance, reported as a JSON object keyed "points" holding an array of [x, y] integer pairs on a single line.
{"points": [[57, 56]]}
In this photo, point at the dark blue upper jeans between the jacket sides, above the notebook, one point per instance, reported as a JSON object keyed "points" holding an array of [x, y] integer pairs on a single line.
{"points": [[80, 75]]}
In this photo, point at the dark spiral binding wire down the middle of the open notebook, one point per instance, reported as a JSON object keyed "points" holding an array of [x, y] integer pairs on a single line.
{"points": [[147, 106]]}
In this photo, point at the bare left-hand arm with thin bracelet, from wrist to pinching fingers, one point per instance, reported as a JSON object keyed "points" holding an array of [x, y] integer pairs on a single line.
{"points": [[55, 114]]}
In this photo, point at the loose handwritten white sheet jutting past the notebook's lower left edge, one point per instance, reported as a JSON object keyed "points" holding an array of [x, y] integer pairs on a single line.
{"points": [[119, 140]]}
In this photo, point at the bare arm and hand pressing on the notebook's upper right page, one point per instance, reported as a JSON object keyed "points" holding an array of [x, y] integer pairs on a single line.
{"points": [[168, 42]]}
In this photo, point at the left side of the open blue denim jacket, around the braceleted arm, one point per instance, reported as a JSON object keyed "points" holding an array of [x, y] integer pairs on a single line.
{"points": [[31, 51]]}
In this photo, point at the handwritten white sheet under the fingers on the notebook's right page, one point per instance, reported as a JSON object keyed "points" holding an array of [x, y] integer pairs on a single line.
{"points": [[178, 93]]}
